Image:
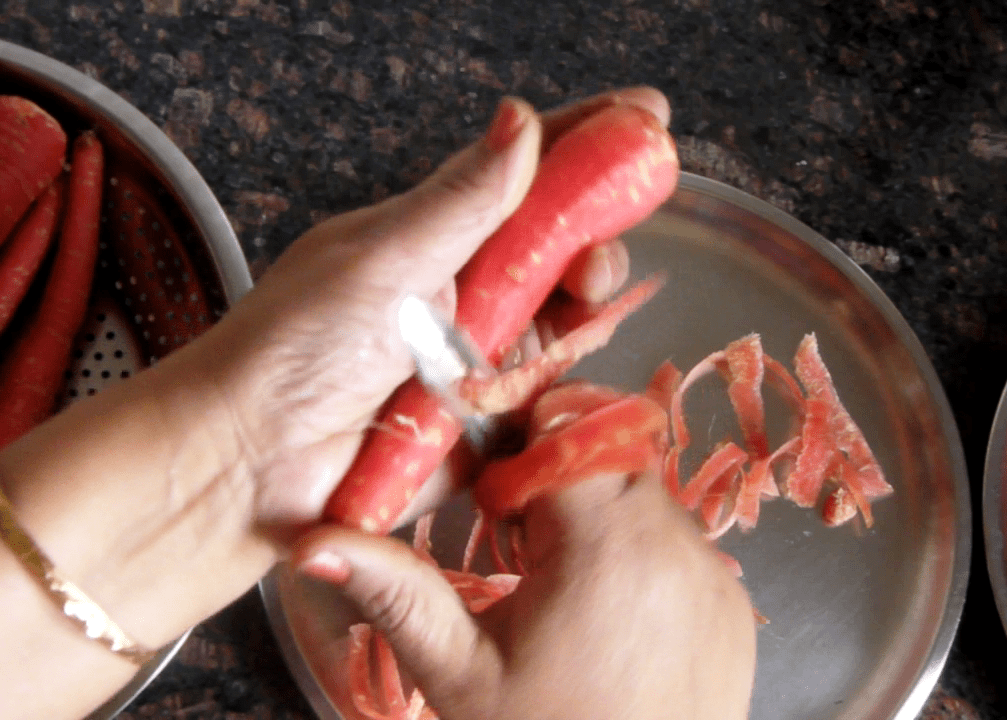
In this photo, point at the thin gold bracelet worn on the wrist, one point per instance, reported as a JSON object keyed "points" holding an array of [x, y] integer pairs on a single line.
{"points": [[75, 604]]}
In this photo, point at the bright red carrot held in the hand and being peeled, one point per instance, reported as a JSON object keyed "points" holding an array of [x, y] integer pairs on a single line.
{"points": [[600, 179]]}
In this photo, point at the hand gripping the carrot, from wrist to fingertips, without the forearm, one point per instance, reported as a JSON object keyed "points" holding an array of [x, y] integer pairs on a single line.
{"points": [[306, 361]]}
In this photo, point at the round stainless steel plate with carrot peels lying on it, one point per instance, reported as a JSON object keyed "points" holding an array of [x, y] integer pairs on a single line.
{"points": [[861, 622]]}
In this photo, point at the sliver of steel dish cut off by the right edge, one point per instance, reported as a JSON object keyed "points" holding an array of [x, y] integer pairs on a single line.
{"points": [[993, 535]]}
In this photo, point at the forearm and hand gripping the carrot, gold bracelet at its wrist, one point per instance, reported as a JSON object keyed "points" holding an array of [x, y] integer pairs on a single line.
{"points": [[155, 495]]}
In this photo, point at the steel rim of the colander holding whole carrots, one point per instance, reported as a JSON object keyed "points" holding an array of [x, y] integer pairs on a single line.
{"points": [[194, 194]]}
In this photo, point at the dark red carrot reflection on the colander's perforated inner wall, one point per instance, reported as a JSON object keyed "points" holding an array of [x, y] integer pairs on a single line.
{"points": [[155, 276]]}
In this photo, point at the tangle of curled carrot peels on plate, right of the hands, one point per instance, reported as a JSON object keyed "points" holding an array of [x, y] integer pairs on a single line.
{"points": [[824, 453]]}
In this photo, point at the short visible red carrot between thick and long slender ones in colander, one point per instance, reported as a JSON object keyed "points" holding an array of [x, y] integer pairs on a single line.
{"points": [[23, 256]]}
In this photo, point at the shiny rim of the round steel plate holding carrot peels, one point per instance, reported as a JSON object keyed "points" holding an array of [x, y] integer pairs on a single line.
{"points": [[913, 703]]}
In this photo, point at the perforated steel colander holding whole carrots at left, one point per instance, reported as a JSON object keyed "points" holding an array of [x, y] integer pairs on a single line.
{"points": [[184, 265]]}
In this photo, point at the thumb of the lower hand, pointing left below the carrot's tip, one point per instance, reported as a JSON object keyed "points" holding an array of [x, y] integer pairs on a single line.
{"points": [[454, 663]]}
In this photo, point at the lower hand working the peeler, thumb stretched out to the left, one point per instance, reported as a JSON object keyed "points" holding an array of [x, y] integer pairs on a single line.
{"points": [[627, 613]]}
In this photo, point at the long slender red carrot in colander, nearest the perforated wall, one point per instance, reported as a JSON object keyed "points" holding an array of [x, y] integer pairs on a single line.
{"points": [[33, 374]]}
